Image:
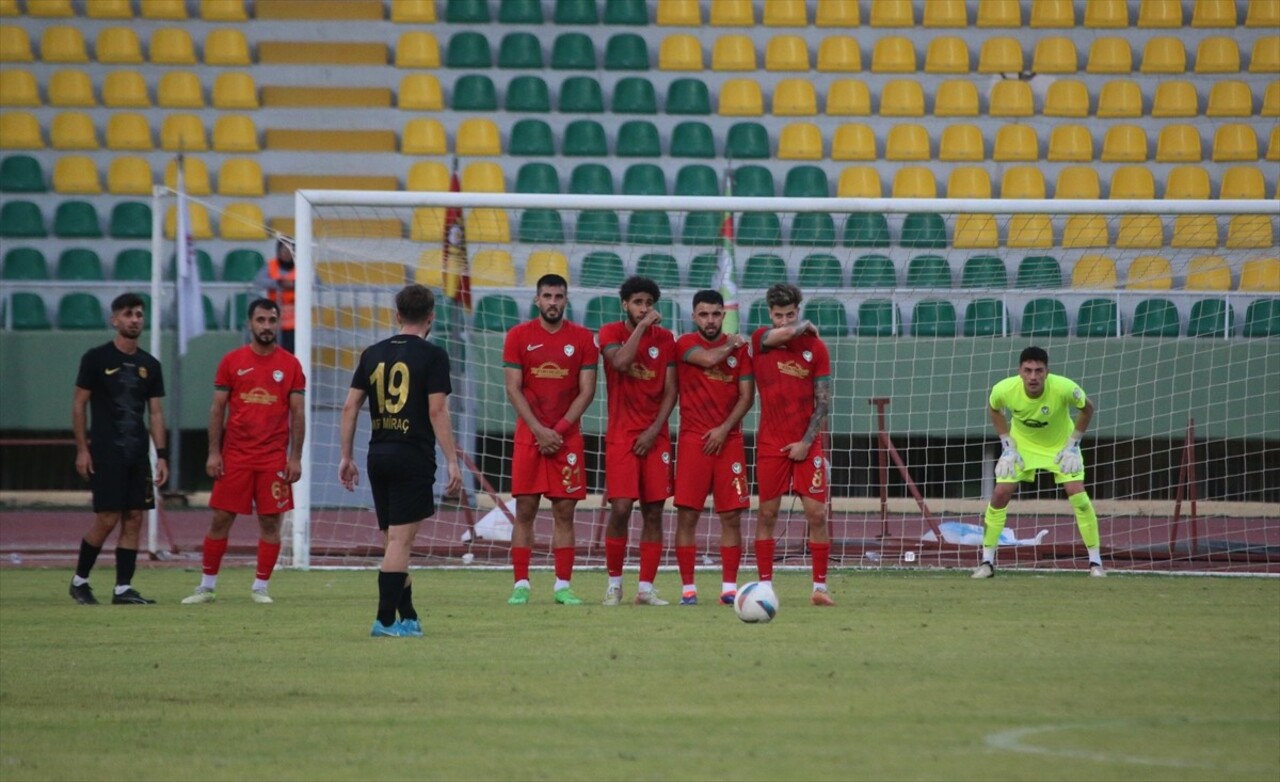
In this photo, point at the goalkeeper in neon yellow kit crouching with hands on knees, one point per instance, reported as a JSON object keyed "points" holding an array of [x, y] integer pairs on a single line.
{"points": [[1039, 436]]}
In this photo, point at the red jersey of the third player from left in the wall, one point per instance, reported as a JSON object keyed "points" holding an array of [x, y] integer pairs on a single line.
{"points": [[707, 396]]}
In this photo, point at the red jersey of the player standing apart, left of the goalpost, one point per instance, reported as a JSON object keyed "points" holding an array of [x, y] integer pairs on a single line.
{"points": [[257, 433]]}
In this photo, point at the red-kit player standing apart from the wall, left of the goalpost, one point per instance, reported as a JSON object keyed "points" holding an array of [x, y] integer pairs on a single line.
{"points": [[255, 451]]}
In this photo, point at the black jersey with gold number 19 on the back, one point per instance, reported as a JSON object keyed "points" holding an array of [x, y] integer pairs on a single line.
{"points": [[399, 374]]}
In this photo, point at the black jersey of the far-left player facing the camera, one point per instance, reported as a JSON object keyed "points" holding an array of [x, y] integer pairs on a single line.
{"points": [[121, 386]]}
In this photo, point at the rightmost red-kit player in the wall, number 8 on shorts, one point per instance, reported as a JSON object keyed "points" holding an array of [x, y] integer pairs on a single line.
{"points": [[793, 372]]}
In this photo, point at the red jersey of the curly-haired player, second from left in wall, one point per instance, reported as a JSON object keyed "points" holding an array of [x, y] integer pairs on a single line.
{"points": [[636, 395]]}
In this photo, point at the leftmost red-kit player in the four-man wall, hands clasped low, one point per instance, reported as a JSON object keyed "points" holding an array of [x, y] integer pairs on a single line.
{"points": [[550, 367]]}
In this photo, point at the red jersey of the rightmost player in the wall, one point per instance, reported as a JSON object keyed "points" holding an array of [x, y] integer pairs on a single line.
{"points": [[785, 377]]}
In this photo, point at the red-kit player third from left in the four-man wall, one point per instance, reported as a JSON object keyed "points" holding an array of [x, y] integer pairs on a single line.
{"points": [[716, 391]]}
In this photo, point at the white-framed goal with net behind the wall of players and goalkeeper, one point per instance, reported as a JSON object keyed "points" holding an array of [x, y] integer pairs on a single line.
{"points": [[1167, 313]]}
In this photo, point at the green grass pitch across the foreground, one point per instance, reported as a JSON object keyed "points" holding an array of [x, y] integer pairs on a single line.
{"points": [[912, 676]]}
